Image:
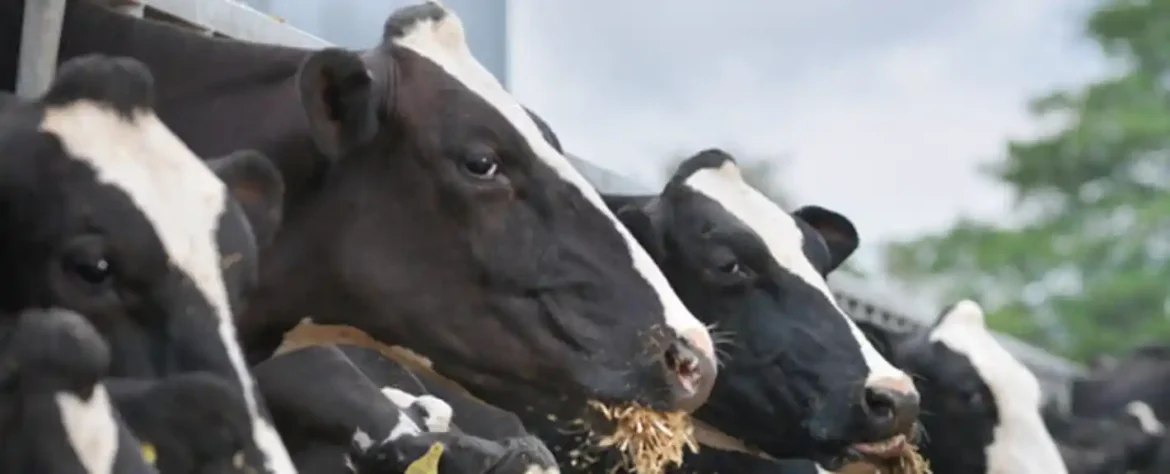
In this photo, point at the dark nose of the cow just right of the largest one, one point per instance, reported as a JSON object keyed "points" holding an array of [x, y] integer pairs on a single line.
{"points": [[891, 407]]}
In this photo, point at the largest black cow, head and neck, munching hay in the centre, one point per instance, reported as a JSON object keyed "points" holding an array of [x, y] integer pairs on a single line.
{"points": [[424, 209]]}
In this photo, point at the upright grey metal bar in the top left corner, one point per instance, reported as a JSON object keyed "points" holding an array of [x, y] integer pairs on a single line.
{"points": [[39, 44]]}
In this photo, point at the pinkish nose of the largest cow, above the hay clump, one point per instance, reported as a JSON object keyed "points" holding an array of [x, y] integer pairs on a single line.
{"points": [[692, 369]]}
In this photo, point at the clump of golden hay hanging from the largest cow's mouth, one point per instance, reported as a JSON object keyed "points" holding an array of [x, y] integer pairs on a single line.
{"points": [[649, 441]]}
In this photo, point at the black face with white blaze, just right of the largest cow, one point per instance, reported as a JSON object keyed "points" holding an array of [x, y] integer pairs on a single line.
{"points": [[800, 379]]}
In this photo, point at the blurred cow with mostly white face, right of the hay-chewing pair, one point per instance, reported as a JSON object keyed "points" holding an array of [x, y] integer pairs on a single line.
{"points": [[981, 407]]}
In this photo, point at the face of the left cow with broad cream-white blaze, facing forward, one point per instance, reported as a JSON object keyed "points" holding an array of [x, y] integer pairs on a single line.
{"points": [[108, 215]]}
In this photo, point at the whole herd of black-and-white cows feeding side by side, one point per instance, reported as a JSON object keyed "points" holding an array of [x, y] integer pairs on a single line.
{"points": [[175, 205]]}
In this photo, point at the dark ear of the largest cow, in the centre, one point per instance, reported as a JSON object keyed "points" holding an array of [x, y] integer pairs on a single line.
{"points": [[338, 94]]}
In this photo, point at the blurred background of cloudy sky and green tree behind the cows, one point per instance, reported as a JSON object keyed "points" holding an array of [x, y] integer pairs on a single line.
{"points": [[1017, 153]]}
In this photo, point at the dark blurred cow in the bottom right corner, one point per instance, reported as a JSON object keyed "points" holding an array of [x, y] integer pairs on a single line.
{"points": [[1125, 443]]}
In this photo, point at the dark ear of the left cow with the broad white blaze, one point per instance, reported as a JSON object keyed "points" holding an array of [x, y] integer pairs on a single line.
{"points": [[258, 187]]}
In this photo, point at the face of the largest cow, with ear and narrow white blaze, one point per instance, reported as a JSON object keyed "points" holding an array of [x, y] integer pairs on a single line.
{"points": [[449, 225]]}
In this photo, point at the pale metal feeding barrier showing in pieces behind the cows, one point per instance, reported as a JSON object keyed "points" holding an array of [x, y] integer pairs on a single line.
{"points": [[235, 19]]}
